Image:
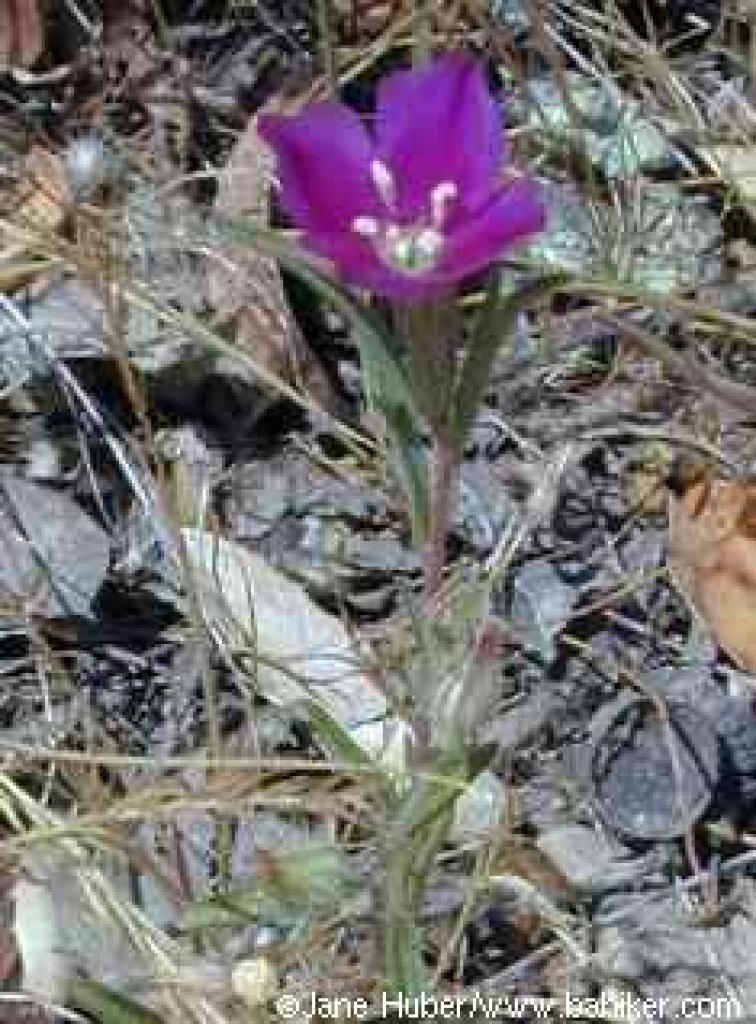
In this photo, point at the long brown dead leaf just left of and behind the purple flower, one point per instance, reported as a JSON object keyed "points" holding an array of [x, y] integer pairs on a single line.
{"points": [[246, 288]]}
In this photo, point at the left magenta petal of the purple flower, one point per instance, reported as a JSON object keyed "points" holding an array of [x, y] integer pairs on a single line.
{"points": [[324, 156]]}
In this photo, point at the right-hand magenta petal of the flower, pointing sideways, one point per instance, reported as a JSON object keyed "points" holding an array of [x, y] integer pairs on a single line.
{"points": [[510, 217]]}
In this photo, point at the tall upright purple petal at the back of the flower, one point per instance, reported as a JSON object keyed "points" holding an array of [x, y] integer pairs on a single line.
{"points": [[440, 123]]}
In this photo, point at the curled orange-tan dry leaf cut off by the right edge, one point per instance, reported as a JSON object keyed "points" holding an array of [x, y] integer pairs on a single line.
{"points": [[712, 545]]}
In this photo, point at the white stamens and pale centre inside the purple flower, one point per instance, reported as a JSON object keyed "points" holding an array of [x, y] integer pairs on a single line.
{"points": [[412, 249]]}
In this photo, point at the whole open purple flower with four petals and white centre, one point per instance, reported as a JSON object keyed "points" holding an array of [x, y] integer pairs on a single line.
{"points": [[421, 203]]}
